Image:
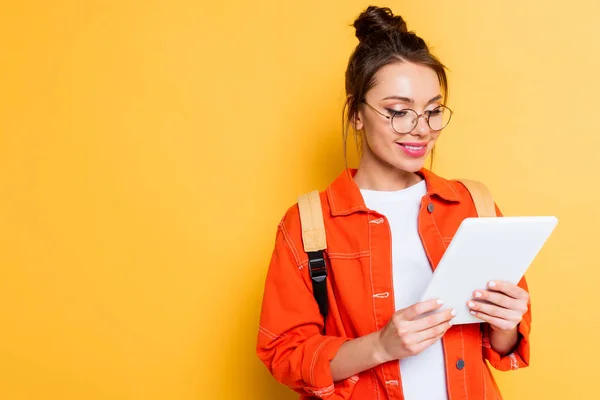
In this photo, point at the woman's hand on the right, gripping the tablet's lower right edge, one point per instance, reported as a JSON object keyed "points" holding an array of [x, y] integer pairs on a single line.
{"points": [[502, 305]]}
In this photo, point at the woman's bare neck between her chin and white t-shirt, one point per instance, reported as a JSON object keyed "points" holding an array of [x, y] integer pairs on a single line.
{"points": [[384, 178]]}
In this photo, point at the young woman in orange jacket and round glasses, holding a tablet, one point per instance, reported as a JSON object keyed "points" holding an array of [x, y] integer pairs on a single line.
{"points": [[388, 224]]}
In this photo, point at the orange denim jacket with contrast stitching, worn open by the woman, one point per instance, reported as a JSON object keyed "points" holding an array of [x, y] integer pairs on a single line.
{"points": [[361, 299]]}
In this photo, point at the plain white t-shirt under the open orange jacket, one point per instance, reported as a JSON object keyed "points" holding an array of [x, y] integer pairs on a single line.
{"points": [[424, 375]]}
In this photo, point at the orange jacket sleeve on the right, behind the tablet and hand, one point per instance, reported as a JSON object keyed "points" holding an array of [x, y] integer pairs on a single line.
{"points": [[519, 358]]}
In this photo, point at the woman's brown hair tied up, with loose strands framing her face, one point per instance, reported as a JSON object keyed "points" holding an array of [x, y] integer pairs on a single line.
{"points": [[383, 39]]}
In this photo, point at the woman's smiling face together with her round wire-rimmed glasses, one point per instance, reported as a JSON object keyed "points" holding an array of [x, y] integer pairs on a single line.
{"points": [[399, 87]]}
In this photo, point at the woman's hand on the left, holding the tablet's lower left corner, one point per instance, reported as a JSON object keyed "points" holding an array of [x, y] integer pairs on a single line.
{"points": [[407, 335]]}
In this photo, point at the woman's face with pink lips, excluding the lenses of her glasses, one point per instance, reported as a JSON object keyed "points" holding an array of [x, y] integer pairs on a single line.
{"points": [[399, 86]]}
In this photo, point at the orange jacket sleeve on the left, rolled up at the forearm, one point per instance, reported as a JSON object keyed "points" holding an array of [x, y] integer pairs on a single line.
{"points": [[290, 343]]}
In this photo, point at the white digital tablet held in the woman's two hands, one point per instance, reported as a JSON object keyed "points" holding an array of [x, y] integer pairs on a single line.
{"points": [[485, 249]]}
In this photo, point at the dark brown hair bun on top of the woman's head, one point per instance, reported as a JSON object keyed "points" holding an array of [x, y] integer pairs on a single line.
{"points": [[377, 20]]}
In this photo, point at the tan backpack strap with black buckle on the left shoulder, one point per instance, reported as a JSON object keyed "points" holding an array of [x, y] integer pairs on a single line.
{"points": [[315, 242]]}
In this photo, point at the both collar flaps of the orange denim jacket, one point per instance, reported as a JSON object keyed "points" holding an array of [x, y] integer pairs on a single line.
{"points": [[345, 198]]}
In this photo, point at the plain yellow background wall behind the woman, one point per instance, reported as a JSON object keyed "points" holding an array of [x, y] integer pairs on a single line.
{"points": [[149, 148]]}
